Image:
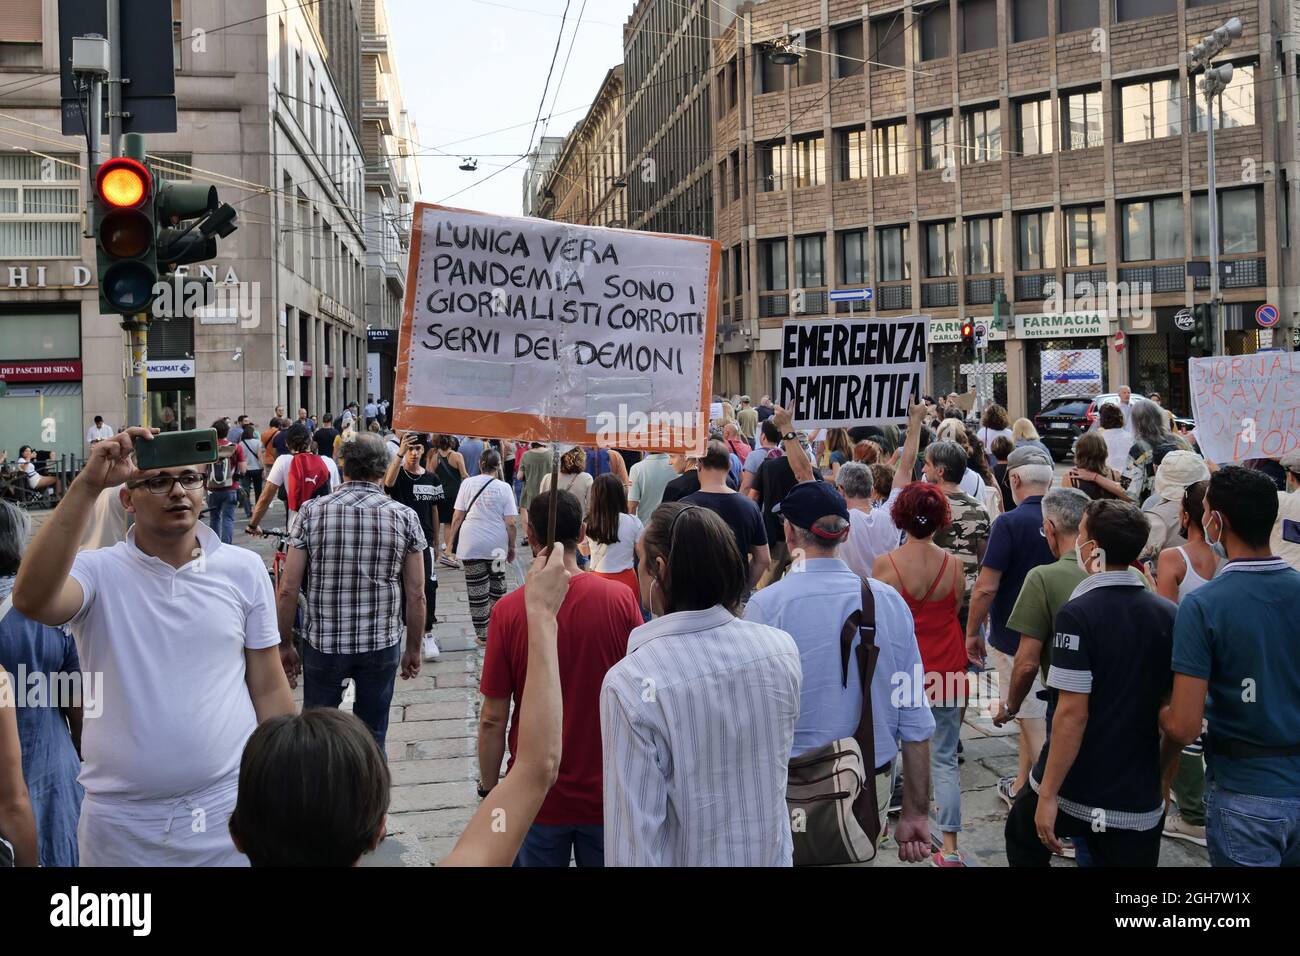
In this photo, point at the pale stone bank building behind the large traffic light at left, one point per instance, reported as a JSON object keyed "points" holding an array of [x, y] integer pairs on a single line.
{"points": [[262, 116]]}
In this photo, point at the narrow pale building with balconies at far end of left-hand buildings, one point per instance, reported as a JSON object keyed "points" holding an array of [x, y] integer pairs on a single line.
{"points": [[391, 142]]}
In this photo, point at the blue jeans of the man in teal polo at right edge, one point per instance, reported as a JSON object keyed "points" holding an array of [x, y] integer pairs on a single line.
{"points": [[1246, 830]]}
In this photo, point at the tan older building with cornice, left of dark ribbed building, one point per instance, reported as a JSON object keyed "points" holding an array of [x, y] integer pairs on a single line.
{"points": [[586, 183]]}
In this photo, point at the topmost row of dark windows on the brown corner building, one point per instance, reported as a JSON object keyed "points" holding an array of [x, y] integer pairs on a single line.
{"points": [[887, 36]]}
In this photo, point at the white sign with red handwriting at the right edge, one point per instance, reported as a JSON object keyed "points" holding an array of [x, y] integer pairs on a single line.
{"points": [[1246, 406]]}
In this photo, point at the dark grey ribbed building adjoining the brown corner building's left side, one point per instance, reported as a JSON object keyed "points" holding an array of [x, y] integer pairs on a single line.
{"points": [[668, 62]]}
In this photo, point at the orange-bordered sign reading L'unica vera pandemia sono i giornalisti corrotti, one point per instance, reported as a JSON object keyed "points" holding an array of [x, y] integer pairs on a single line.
{"points": [[534, 330]]}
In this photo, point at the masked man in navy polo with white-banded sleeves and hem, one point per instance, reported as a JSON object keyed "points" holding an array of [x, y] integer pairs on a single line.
{"points": [[1099, 777]]}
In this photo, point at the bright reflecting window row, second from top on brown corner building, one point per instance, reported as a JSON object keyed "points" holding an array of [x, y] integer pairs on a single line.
{"points": [[1150, 110]]}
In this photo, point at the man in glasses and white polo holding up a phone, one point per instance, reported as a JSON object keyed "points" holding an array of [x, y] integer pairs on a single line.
{"points": [[181, 634]]}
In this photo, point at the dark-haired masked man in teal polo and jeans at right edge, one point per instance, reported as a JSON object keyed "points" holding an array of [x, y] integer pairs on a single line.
{"points": [[1237, 664]]}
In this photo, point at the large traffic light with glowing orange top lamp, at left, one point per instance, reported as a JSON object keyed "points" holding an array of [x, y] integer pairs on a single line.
{"points": [[125, 236]]}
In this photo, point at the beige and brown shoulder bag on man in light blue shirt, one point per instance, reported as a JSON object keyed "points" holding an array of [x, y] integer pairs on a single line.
{"points": [[831, 793]]}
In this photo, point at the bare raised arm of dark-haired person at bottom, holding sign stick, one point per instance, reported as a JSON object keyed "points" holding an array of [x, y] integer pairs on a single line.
{"points": [[497, 830]]}
